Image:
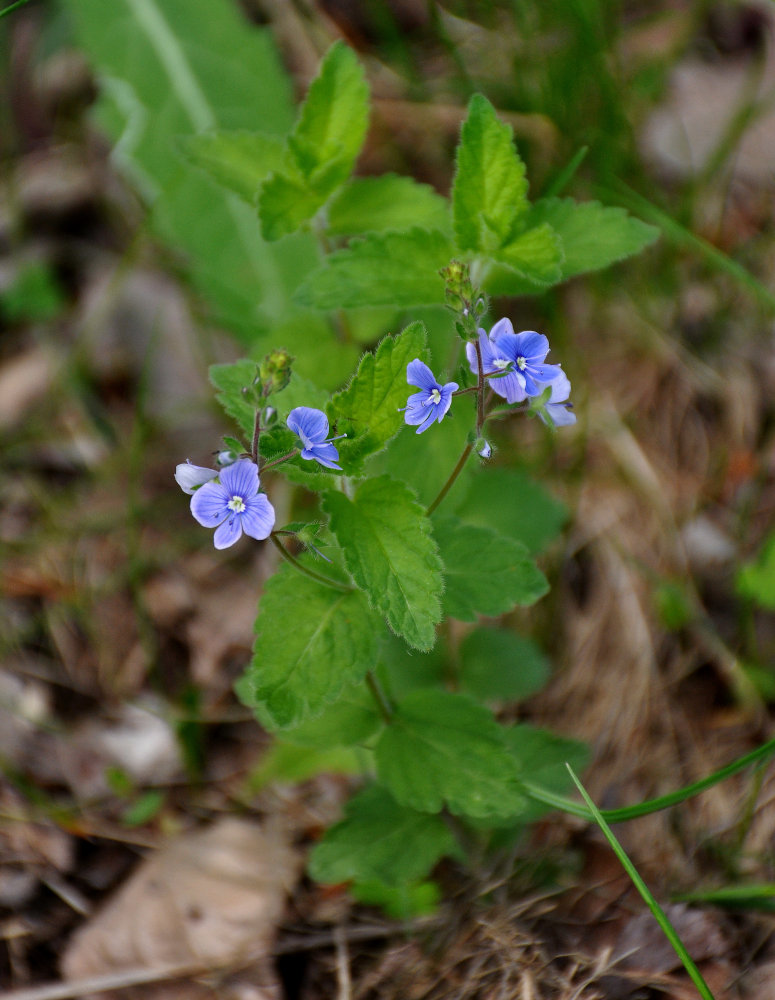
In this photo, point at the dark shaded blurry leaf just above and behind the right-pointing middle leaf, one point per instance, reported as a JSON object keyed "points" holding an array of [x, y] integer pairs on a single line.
{"points": [[517, 505]]}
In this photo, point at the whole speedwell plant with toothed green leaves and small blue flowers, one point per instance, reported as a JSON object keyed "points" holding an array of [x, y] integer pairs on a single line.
{"points": [[365, 664]]}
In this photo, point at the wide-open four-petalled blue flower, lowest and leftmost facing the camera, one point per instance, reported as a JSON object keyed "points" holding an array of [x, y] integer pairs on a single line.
{"points": [[233, 505]]}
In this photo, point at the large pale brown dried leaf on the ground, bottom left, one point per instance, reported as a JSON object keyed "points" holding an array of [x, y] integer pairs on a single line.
{"points": [[208, 898]]}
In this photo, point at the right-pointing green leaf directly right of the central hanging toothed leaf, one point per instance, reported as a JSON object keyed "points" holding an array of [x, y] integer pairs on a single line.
{"points": [[485, 573]]}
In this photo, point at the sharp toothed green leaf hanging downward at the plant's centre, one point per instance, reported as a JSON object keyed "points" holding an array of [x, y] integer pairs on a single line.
{"points": [[390, 552]]}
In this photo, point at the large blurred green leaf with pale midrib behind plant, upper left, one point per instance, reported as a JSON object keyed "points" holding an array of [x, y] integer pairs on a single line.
{"points": [[177, 68]]}
